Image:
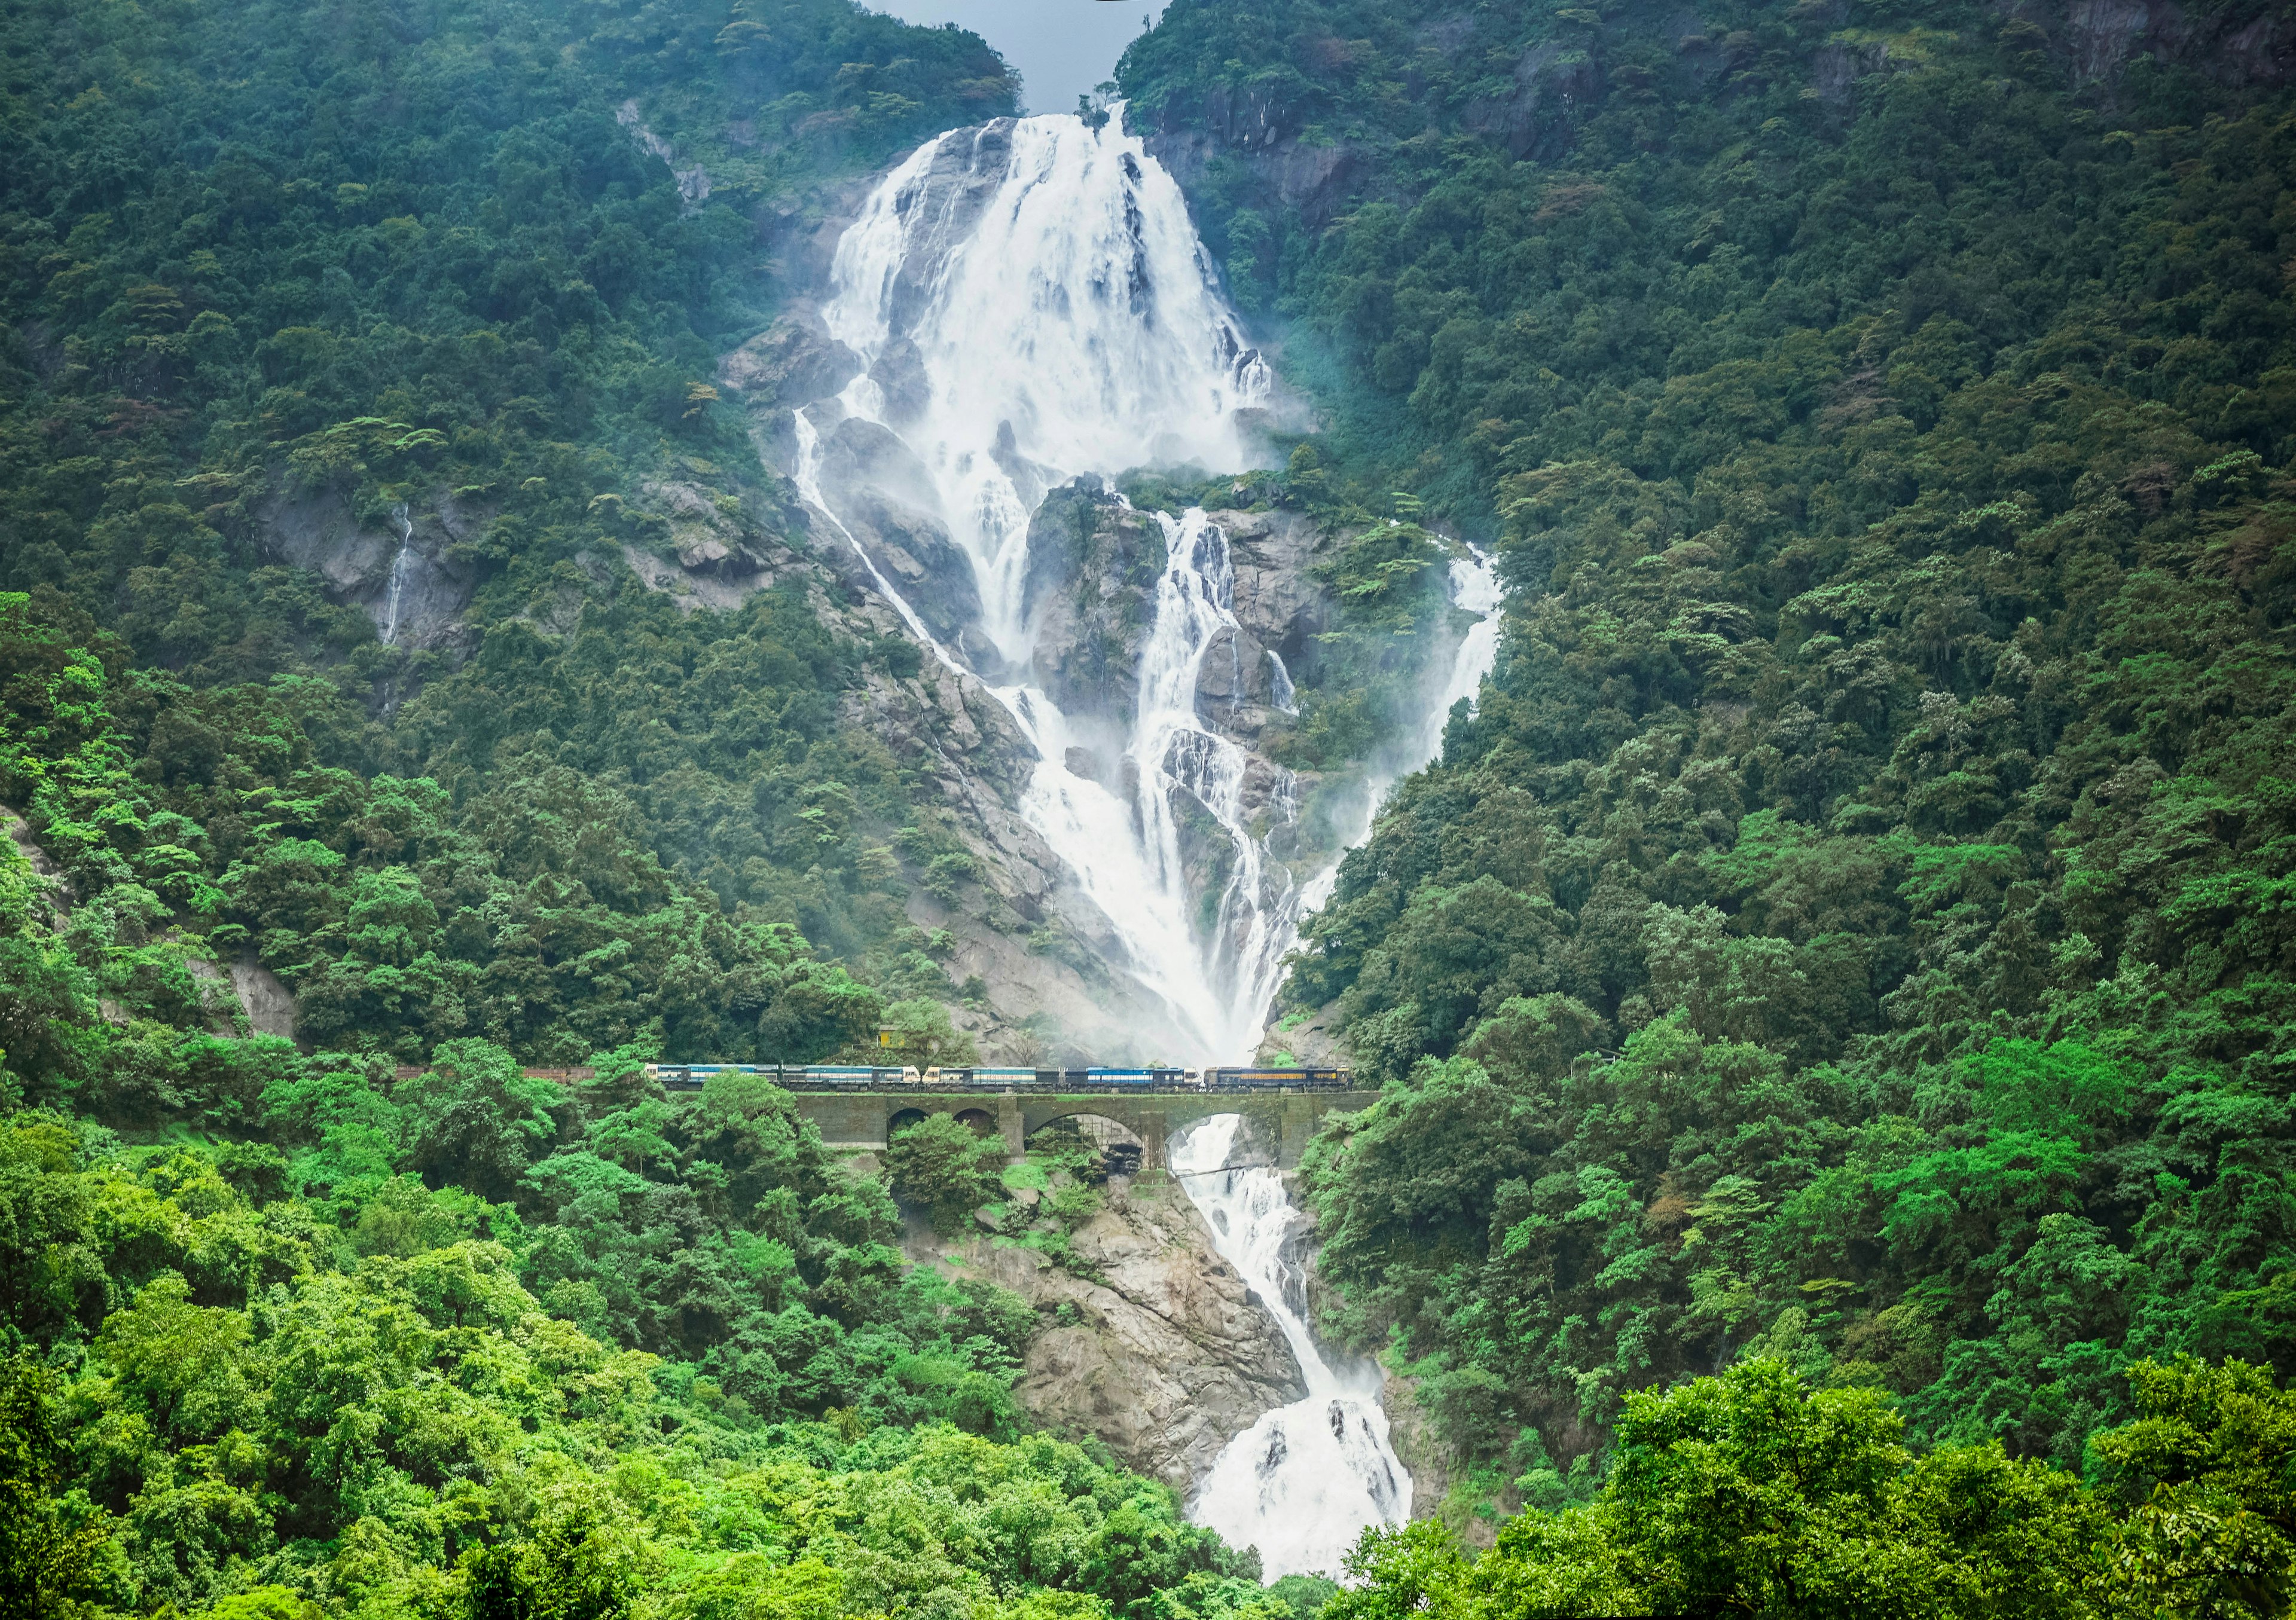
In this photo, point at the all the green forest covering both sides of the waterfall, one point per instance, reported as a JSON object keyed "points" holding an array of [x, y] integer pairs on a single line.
{"points": [[1833, 1004]]}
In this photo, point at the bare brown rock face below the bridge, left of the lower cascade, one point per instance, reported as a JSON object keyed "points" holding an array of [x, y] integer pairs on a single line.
{"points": [[1170, 1355]]}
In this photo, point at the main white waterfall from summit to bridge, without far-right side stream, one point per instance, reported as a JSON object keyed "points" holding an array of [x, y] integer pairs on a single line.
{"points": [[1030, 304]]}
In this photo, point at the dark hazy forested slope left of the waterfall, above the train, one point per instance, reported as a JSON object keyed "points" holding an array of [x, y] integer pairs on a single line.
{"points": [[270, 270]]}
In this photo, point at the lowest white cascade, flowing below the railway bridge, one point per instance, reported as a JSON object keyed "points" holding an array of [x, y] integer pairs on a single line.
{"points": [[1305, 1481]]}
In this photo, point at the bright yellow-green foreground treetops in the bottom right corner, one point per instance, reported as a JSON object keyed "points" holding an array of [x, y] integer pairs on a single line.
{"points": [[1760, 1495]]}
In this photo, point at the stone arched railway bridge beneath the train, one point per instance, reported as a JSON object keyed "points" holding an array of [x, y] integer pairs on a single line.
{"points": [[1275, 1123]]}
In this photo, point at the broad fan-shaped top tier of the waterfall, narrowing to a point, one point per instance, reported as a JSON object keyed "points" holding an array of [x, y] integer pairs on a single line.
{"points": [[1030, 302]]}
